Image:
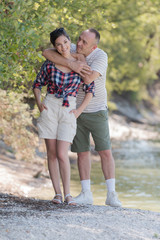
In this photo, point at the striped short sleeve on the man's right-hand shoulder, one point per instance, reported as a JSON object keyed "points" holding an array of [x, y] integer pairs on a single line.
{"points": [[100, 62]]}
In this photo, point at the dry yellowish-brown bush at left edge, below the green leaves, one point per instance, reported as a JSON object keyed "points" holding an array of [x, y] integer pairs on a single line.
{"points": [[16, 127]]}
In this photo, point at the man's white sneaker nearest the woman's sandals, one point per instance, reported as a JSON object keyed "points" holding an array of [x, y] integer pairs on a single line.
{"points": [[84, 198]]}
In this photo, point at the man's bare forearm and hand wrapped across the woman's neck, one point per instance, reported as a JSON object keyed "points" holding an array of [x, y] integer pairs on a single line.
{"points": [[77, 66]]}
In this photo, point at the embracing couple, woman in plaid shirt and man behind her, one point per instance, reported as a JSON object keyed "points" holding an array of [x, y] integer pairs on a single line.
{"points": [[75, 106]]}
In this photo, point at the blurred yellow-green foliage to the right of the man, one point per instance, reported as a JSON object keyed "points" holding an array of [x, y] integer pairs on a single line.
{"points": [[133, 56]]}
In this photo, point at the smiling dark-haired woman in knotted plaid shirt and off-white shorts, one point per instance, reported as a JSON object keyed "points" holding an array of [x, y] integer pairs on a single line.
{"points": [[57, 121]]}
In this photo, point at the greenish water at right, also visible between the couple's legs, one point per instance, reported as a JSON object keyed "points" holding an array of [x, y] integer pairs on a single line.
{"points": [[137, 175]]}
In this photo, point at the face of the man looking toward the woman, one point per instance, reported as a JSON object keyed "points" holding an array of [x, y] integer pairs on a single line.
{"points": [[86, 43]]}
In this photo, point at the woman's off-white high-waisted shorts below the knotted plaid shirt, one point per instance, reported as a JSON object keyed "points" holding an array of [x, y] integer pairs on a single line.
{"points": [[56, 122]]}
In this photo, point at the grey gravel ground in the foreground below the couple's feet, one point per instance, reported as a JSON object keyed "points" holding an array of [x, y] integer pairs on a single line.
{"points": [[30, 219]]}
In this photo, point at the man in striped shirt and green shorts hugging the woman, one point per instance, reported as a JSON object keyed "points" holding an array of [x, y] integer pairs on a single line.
{"points": [[94, 118]]}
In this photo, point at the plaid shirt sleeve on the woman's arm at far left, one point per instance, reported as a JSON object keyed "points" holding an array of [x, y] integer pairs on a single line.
{"points": [[42, 77]]}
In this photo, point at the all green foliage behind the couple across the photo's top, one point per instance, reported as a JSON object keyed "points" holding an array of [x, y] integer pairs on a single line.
{"points": [[129, 34]]}
